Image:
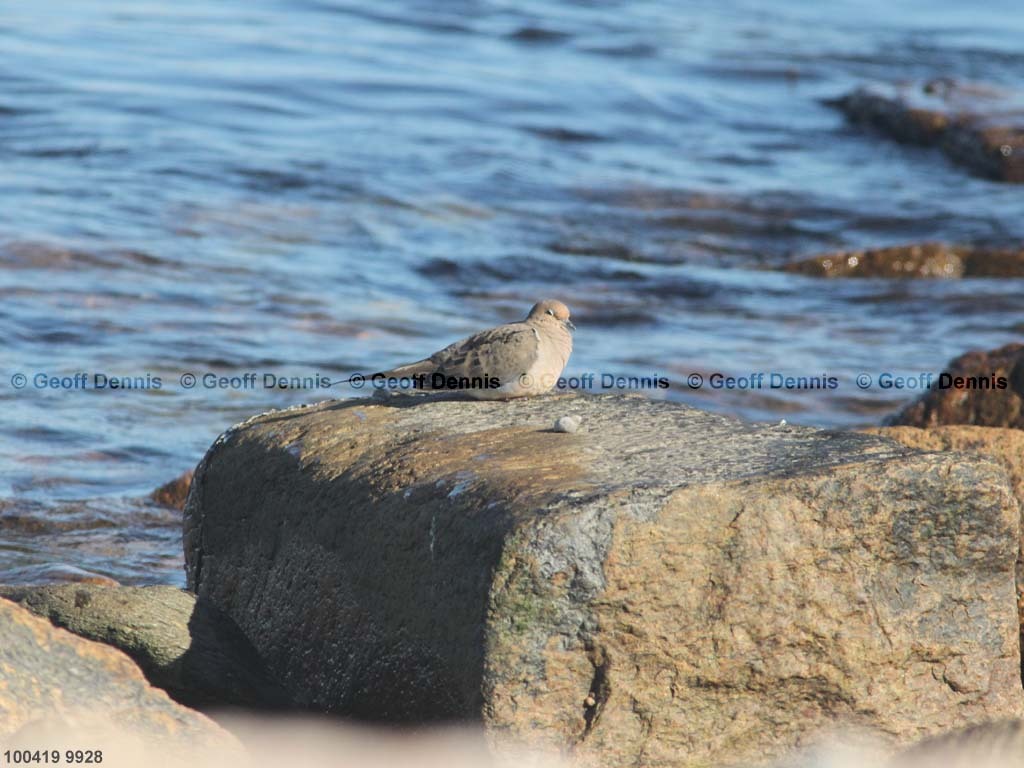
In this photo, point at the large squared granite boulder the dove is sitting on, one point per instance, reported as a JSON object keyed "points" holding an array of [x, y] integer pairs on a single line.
{"points": [[662, 587]]}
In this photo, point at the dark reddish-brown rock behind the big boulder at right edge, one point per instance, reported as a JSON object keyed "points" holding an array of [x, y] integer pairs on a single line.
{"points": [[982, 389]]}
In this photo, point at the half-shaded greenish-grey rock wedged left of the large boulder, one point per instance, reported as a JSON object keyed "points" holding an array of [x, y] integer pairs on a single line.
{"points": [[193, 653]]}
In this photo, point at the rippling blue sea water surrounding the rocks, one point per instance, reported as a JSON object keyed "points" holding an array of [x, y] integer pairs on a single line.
{"points": [[322, 187]]}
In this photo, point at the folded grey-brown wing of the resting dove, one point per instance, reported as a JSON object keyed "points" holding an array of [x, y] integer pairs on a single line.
{"points": [[504, 353]]}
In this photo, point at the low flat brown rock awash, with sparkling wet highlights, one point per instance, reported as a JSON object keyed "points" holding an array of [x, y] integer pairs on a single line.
{"points": [[919, 261]]}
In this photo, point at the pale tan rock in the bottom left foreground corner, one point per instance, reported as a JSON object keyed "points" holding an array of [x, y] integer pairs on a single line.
{"points": [[53, 681]]}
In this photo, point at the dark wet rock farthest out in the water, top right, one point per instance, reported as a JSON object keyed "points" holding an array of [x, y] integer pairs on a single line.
{"points": [[977, 127]]}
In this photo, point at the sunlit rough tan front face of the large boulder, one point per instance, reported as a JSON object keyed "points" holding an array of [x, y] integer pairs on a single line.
{"points": [[779, 611]]}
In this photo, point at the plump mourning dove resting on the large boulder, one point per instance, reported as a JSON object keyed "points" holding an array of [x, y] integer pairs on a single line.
{"points": [[518, 360]]}
